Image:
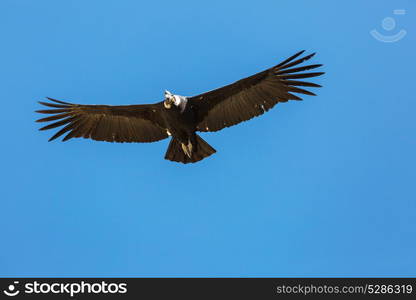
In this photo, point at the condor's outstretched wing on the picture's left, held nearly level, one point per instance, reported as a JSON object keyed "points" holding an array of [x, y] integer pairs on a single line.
{"points": [[131, 123]]}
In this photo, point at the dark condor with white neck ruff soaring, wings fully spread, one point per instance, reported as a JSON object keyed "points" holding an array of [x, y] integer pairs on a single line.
{"points": [[182, 117]]}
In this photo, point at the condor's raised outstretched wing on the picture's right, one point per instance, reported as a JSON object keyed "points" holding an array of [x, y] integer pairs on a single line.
{"points": [[254, 95]]}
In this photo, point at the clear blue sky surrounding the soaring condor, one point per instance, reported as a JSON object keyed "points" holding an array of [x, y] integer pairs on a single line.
{"points": [[323, 187]]}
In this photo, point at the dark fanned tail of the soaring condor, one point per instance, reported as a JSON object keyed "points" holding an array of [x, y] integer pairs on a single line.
{"points": [[190, 153]]}
